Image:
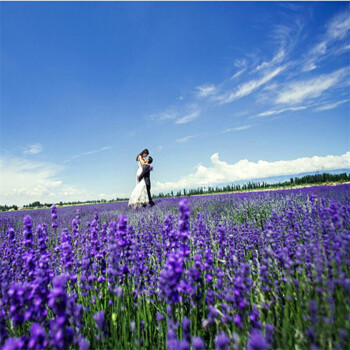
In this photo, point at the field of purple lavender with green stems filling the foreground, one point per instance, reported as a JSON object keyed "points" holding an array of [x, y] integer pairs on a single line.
{"points": [[262, 270]]}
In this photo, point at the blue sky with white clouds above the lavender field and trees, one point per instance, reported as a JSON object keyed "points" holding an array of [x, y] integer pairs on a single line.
{"points": [[217, 91]]}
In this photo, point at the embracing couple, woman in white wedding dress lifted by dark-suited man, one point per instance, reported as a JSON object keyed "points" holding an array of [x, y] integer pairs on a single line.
{"points": [[141, 195]]}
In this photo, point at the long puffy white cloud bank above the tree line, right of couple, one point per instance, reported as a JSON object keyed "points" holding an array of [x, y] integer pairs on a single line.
{"points": [[222, 172]]}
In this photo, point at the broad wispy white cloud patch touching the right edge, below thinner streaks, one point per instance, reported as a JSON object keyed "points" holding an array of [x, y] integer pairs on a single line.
{"points": [[299, 91]]}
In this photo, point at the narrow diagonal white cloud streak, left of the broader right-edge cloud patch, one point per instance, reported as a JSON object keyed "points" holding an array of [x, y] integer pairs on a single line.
{"points": [[249, 87]]}
